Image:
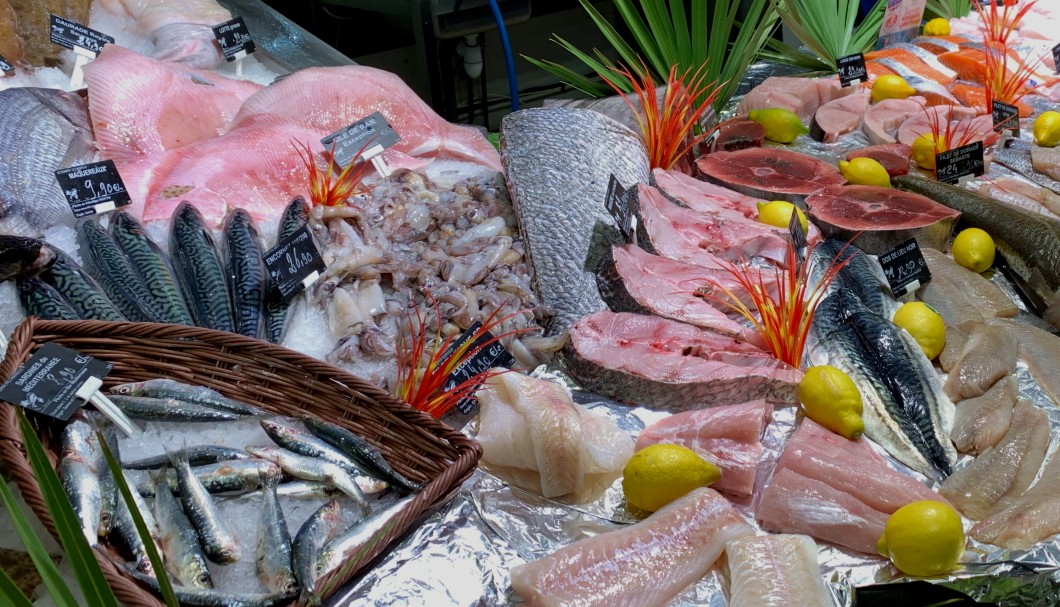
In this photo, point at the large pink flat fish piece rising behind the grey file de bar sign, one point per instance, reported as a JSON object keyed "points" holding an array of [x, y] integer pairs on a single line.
{"points": [[330, 99]]}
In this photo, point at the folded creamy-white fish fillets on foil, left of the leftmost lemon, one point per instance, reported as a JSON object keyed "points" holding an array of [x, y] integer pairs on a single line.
{"points": [[535, 436]]}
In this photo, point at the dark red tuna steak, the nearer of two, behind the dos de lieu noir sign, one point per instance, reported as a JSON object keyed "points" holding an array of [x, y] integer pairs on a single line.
{"points": [[881, 218]]}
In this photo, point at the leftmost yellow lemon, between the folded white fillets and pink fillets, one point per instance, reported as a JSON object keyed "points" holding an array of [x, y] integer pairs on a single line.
{"points": [[660, 474]]}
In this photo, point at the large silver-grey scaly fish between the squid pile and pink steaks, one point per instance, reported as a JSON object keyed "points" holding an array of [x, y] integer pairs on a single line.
{"points": [[557, 164]]}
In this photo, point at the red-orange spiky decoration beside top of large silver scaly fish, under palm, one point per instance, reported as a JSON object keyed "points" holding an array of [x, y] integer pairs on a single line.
{"points": [[668, 127]]}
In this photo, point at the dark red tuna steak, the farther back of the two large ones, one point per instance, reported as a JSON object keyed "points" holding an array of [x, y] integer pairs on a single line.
{"points": [[770, 173]]}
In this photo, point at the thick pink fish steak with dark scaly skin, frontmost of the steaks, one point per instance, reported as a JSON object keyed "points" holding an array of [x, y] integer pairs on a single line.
{"points": [[673, 366]]}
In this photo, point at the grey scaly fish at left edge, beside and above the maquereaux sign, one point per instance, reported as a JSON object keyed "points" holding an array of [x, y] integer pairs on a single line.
{"points": [[42, 131]]}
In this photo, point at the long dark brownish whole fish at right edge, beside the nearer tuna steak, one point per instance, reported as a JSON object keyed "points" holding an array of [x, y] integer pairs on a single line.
{"points": [[1023, 237]]}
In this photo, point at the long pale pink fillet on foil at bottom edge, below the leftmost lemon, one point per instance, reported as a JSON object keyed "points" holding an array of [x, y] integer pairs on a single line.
{"points": [[644, 565]]}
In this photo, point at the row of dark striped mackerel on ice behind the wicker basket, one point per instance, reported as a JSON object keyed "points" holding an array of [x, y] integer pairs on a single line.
{"points": [[130, 278]]}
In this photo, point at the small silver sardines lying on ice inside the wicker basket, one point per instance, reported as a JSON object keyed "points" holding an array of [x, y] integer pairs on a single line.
{"points": [[185, 522]]}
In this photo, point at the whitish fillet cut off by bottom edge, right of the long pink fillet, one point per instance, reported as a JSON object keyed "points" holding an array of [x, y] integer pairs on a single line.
{"points": [[776, 572]]}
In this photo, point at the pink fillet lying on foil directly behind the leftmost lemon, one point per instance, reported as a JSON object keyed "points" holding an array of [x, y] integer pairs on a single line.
{"points": [[729, 437]]}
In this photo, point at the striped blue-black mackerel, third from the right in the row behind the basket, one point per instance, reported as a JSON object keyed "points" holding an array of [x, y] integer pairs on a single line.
{"points": [[200, 272]]}
